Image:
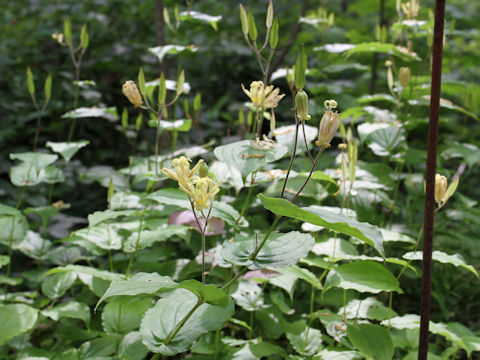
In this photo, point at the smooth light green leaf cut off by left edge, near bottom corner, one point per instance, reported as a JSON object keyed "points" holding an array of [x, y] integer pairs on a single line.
{"points": [[16, 319]]}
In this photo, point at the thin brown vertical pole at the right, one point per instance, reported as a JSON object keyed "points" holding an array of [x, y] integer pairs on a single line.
{"points": [[430, 178]]}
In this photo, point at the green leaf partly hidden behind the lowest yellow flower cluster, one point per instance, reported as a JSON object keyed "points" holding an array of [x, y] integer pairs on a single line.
{"points": [[178, 198]]}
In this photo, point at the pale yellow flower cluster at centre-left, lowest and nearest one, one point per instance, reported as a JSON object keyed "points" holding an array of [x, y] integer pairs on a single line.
{"points": [[200, 189]]}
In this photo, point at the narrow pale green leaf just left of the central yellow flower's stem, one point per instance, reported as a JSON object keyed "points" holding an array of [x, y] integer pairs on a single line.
{"points": [[149, 237]]}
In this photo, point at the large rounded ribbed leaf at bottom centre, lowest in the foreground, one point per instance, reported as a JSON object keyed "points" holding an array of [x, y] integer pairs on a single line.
{"points": [[159, 322]]}
